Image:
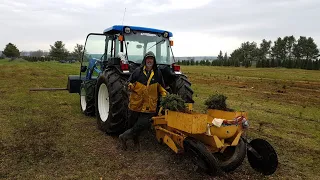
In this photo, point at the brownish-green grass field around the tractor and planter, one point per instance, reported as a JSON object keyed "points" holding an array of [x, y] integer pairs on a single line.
{"points": [[44, 135]]}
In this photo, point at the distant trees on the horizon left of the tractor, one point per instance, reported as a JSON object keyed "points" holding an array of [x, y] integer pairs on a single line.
{"points": [[57, 52]]}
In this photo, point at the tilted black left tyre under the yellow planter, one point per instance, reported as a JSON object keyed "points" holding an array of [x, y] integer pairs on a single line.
{"points": [[201, 156]]}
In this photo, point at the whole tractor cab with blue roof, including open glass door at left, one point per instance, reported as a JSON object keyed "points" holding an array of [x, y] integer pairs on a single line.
{"points": [[125, 47]]}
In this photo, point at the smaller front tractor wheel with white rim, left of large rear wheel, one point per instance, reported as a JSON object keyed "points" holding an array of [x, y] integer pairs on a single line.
{"points": [[87, 97]]}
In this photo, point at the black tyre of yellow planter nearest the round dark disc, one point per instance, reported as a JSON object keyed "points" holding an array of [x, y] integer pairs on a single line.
{"points": [[232, 157]]}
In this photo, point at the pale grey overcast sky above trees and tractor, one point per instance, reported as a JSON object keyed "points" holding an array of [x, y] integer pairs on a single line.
{"points": [[199, 27]]}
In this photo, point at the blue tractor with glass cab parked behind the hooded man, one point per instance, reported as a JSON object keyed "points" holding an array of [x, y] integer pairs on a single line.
{"points": [[109, 59]]}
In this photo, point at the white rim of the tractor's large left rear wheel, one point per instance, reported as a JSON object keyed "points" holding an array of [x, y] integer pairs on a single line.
{"points": [[103, 102]]}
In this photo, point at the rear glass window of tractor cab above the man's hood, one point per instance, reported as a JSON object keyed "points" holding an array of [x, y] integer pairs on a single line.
{"points": [[138, 43]]}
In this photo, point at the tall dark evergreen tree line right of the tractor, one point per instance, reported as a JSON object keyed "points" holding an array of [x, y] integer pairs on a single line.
{"points": [[287, 52]]}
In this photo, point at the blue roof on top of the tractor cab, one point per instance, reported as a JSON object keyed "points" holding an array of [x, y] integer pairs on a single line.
{"points": [[120, 28]]}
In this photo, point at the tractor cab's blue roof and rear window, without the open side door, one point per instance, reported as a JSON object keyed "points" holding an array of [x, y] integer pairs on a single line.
{"points": [[136, 41]]}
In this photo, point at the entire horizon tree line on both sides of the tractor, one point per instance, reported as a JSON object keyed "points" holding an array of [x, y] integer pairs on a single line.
{"points": [[287, 52]]}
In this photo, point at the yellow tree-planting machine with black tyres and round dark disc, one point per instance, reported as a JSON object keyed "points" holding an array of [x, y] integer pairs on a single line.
{"points": [[216, 140]]}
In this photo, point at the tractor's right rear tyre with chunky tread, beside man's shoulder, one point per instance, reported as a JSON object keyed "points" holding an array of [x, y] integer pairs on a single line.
{"points": [[182, 87]]}
